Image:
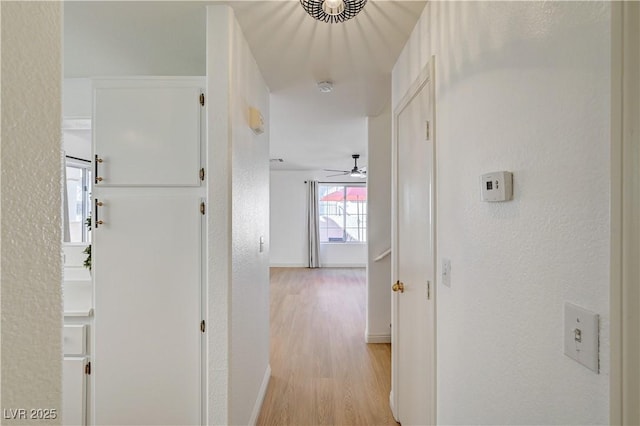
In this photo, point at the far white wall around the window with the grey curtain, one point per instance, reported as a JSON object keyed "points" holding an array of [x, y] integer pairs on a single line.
{"points": [[289, 223]]}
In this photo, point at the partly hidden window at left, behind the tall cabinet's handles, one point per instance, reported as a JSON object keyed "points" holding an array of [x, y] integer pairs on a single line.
{"points": [[78, 198]]}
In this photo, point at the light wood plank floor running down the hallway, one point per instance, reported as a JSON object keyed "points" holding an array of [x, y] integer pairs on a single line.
{"points": [[322, 371]]}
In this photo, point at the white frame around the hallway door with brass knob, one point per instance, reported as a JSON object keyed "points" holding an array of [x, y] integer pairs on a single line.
{"points": [[426, 76]]}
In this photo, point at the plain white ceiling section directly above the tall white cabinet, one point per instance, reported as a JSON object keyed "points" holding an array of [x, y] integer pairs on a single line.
{"points": [[122, 38]]}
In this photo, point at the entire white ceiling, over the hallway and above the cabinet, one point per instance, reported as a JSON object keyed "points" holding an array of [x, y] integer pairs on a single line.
{"points": [[309, 129]]}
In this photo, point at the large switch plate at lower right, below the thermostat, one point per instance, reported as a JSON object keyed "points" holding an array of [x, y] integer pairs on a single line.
{"points": [[582, 336]]}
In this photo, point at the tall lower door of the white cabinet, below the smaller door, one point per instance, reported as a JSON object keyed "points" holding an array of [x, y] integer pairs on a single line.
{"points": [[147, 269]]}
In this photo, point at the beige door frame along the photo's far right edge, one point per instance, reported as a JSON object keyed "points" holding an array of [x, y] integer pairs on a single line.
{"points": [[625, 208]]}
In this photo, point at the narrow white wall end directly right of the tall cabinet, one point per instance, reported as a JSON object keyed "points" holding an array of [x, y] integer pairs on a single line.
{"points": [[219, 217]]}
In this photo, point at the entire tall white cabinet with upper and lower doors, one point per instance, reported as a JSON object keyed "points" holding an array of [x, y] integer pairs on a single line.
{"points": [[147, 253]]}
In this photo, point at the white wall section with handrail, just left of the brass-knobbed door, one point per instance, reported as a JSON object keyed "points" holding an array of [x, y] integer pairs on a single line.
{"points": [[379, 228]]}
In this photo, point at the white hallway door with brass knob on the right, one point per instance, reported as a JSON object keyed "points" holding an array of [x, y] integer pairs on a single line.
{"points": [[413, 337]]}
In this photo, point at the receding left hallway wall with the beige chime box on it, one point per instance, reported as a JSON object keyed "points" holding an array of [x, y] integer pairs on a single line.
{"points": [[250, 210]]}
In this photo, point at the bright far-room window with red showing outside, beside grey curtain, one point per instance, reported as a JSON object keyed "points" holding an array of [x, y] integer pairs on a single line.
{"points": [[343, 213]]}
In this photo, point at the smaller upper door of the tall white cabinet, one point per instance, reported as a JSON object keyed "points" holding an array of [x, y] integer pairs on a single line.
{"points": [[146, 135]]}
